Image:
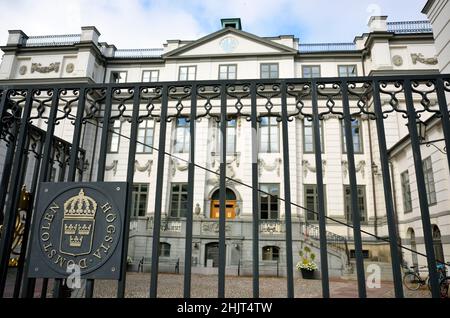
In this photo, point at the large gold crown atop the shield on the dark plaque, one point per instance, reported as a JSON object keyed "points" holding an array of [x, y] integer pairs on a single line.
{"points": [[80, 206]]}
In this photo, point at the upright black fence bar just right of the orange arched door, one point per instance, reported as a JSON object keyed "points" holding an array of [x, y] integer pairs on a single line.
{"points": [[255, 193]]}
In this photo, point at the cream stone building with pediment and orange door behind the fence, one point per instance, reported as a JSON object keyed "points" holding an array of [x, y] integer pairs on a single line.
{"points": [[388, 48]]}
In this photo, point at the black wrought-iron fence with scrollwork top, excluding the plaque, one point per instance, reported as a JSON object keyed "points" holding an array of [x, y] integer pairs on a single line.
{"points": [[86, 114]]}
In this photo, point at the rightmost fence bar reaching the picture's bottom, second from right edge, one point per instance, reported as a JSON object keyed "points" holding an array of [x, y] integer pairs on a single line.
{"points": [[422, 191]]}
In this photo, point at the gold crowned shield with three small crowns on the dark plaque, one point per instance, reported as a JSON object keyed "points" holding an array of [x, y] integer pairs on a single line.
{"points": [[78, 225]]}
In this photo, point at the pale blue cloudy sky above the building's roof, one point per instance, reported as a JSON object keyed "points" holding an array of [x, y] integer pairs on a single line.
{"points": [[149, 23]]}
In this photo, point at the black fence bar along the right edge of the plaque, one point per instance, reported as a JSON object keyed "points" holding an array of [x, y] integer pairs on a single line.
{"points": [[130, 176]]}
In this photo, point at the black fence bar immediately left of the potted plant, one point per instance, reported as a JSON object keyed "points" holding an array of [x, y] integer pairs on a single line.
{"points": [[287, 192]]}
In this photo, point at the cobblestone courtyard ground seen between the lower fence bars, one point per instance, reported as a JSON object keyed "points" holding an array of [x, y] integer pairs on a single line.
{"points": [[171, 286]]}
